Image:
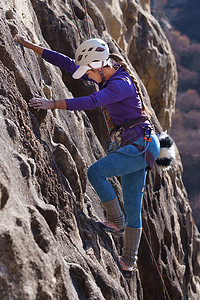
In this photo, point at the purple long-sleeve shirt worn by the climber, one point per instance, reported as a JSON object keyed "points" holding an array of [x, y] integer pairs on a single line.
{"points": [[118, 95]]}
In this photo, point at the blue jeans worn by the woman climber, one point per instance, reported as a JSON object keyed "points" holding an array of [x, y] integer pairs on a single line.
{"points": [[131, 170]]}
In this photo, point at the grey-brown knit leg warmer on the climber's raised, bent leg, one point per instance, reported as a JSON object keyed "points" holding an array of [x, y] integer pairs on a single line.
{"points": [[114, 213]]}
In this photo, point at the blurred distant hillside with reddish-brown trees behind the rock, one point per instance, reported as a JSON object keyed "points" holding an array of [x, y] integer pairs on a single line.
{"points": [[181, 23]]}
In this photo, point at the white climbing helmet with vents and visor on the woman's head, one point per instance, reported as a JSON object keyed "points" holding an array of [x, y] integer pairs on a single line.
{"points": [[93, 52]]}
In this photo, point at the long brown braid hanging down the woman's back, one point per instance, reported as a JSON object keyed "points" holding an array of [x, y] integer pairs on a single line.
{"points": [[119, 60]]}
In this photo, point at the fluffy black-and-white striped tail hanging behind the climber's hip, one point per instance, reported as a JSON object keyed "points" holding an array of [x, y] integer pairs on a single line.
{"points": [[167, 151]]}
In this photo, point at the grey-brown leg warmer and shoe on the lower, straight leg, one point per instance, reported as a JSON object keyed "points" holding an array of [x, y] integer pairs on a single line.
{"points": [[128, 260]]}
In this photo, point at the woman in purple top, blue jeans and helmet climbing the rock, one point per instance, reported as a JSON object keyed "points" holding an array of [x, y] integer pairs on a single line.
{"points": [[136, 146]]}
